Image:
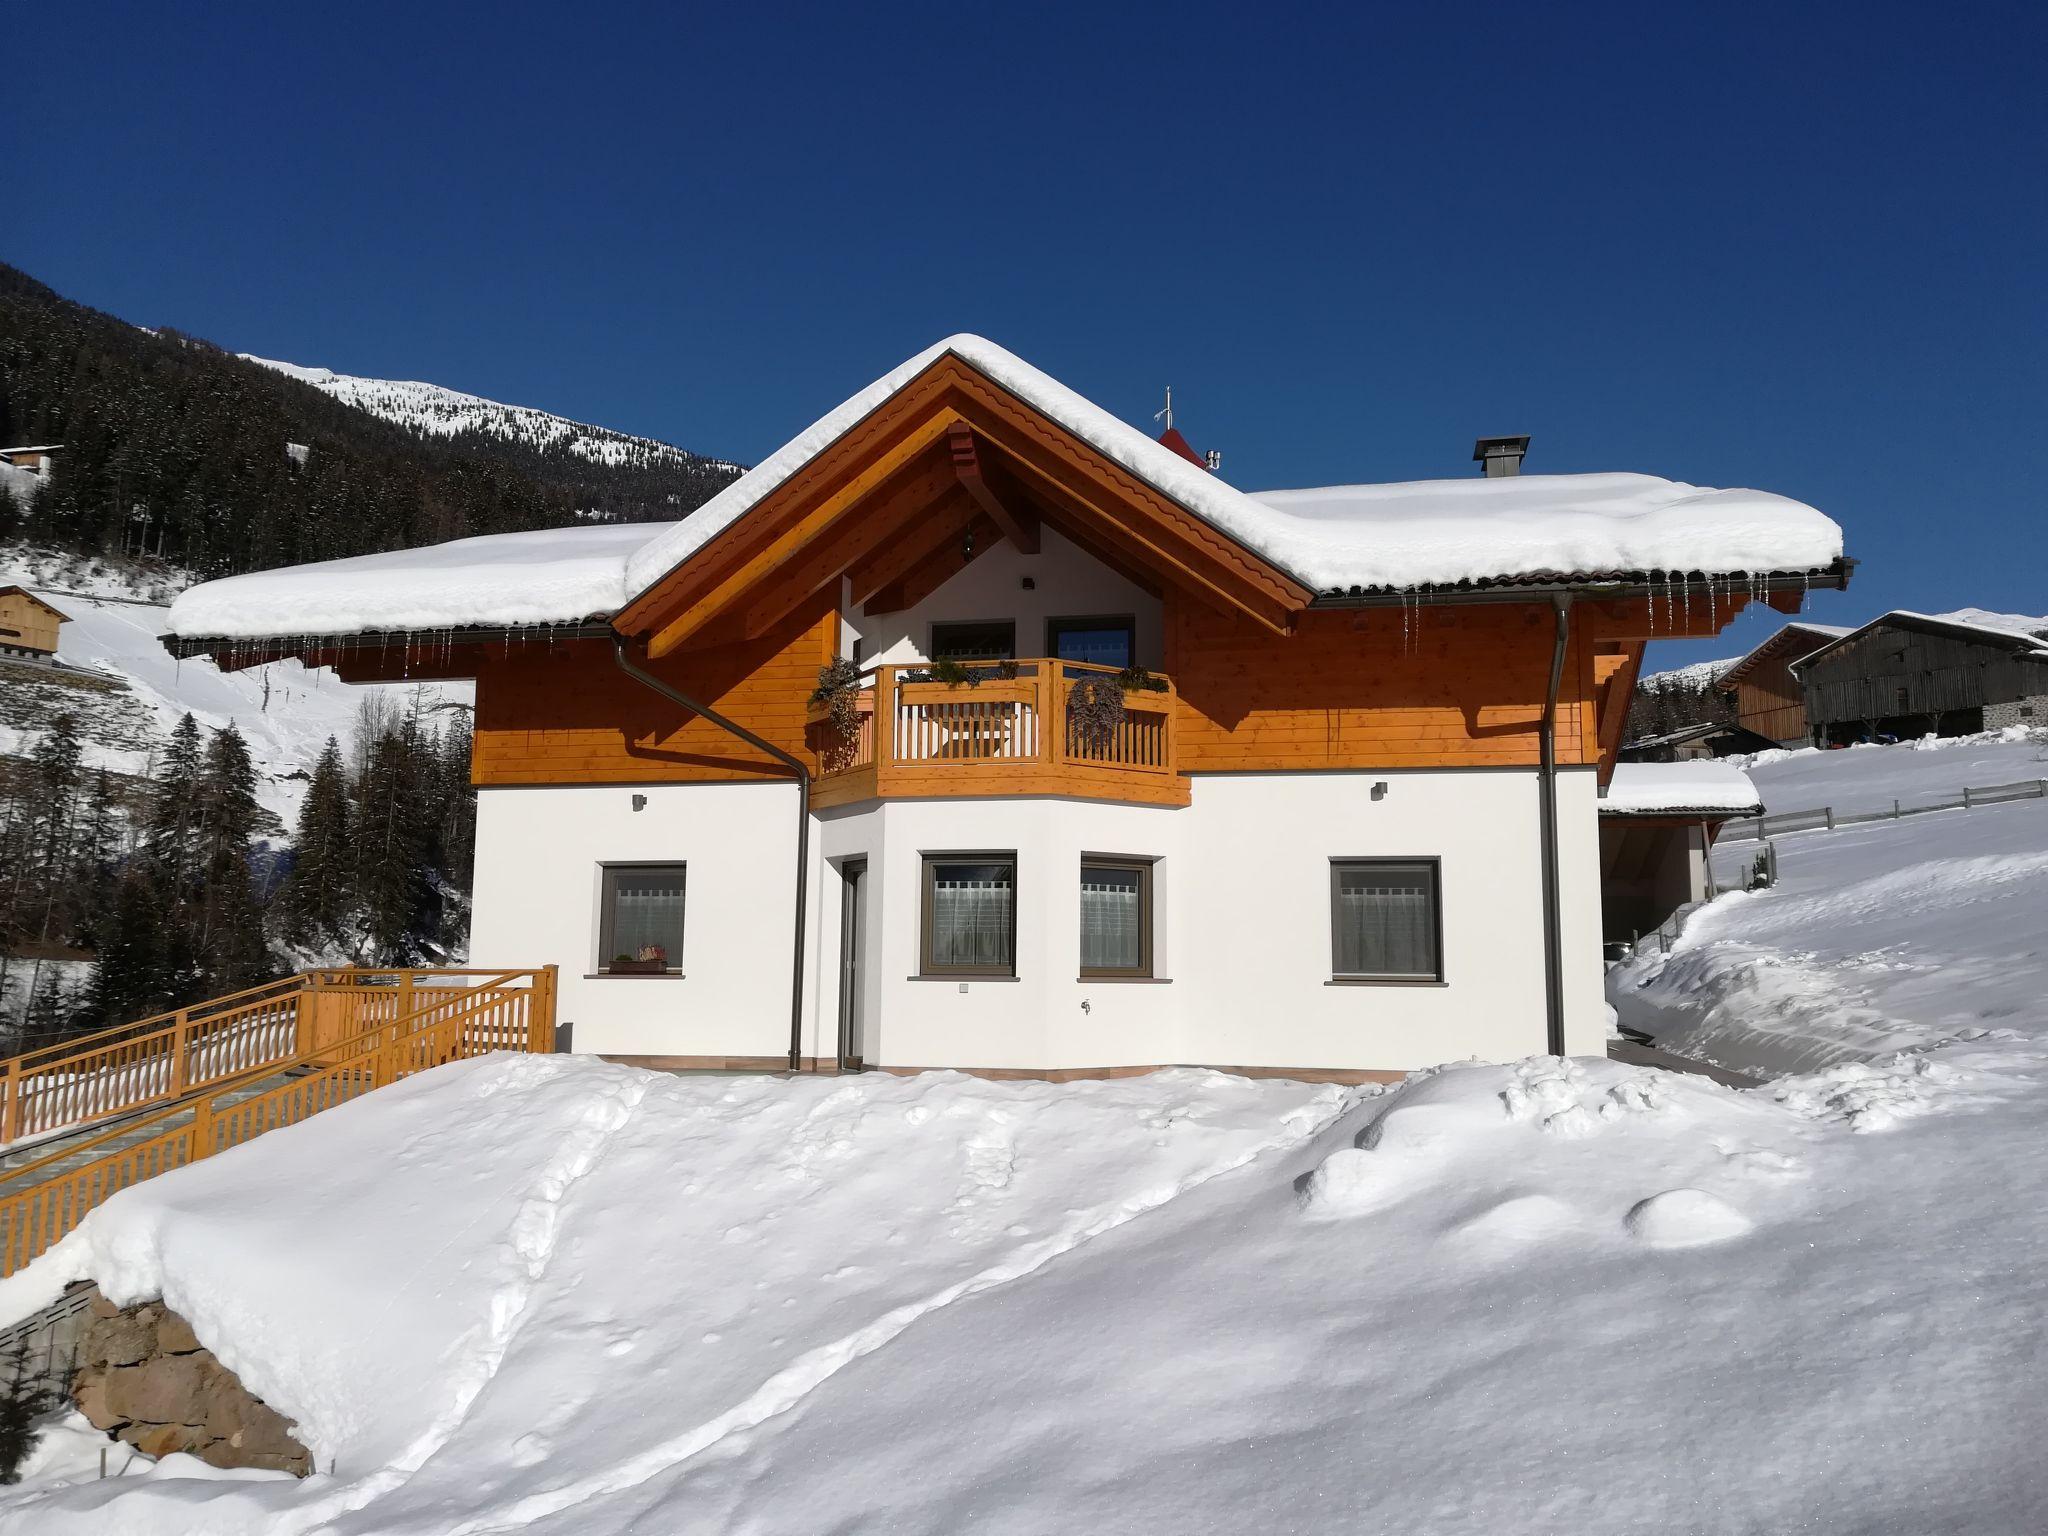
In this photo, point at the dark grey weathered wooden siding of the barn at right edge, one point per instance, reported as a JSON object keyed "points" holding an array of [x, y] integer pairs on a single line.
{"points": [[1900, 675]]}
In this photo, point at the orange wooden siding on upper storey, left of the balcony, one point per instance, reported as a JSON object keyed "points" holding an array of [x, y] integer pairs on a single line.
{"points": [[566, 716]]}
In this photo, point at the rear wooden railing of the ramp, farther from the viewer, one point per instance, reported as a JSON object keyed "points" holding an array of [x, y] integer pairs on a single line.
{"points": [[163, 1058]]}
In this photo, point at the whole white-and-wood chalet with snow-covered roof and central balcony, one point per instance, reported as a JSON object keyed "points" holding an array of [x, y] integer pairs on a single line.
{"points": [[980, 730]]}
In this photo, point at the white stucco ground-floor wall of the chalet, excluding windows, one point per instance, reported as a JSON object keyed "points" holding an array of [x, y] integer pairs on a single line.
{"points": [[1242, 923]]}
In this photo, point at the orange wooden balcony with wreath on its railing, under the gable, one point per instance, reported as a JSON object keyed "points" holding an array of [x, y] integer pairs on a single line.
{"points": [[1007, 730]]}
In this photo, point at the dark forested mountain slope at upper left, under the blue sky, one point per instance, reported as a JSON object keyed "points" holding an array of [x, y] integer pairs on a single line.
{"points": [[179, 450]]}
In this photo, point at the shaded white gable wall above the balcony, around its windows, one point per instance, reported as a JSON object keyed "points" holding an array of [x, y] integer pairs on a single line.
{"points": [[1066, 585]]}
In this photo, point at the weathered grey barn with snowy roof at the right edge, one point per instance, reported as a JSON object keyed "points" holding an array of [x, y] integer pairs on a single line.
{"points": [[1916, 675]]}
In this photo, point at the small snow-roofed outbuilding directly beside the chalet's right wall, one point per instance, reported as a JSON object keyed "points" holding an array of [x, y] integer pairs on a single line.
{"points": [[1658, 826]]}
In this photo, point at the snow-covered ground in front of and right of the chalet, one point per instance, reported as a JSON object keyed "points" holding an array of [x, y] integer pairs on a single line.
{"points": [[560, 1297]]}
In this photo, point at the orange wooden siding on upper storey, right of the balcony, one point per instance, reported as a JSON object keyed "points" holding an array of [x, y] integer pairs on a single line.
{"points": [[1377, 689]]}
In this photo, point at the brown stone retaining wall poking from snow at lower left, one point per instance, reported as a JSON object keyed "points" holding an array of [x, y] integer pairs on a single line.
{"points": [[146, 1377]]}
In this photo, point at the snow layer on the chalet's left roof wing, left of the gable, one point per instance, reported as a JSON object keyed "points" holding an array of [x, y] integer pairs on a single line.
{"points": [[554, 577]]}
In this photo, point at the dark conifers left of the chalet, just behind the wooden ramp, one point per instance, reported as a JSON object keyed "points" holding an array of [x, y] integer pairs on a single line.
{"points": [[169, 884]]}
